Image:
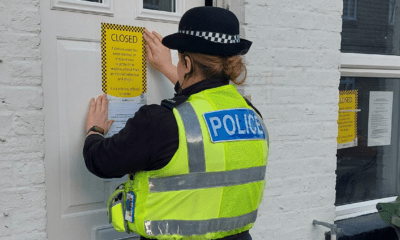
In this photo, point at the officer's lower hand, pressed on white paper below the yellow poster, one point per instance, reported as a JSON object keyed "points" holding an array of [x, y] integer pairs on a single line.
{"points": [[98, 114]]}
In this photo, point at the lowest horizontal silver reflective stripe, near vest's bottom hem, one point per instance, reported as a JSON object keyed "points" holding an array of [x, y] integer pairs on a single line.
{"points": [[189, 228]]}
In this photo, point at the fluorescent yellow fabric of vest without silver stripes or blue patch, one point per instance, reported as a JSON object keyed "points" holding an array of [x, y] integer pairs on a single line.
{"points": [[234, 200]]}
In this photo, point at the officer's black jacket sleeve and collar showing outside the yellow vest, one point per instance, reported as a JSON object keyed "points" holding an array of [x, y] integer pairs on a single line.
{"points": [[148, 141]]}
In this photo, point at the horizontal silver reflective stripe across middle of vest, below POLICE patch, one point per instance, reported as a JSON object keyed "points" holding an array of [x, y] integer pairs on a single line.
{"points": [[207, 180]]}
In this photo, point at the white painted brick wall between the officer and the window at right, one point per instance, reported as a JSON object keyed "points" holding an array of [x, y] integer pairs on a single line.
{"points": [[293, 79]]}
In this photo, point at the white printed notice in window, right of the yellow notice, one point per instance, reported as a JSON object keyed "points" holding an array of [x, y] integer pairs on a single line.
{"points": [[380, 118]]}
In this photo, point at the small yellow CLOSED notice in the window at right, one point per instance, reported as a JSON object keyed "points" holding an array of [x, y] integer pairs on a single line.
{"points": [[347, 122]]}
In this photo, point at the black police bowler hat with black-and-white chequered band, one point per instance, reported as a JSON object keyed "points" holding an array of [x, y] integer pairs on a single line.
{"points": [[208, 30]]}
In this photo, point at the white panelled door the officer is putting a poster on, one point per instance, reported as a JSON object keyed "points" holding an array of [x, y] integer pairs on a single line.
{"points": [[76, 199]]}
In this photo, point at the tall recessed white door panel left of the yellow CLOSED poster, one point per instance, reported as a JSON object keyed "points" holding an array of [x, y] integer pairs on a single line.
{"points": [[79, 187]]}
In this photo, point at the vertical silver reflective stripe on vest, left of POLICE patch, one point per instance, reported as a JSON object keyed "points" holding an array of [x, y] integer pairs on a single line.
{"points": [[194, 138]]}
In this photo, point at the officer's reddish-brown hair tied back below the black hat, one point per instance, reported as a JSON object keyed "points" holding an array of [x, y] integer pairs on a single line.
{"points": [[228, 67]]}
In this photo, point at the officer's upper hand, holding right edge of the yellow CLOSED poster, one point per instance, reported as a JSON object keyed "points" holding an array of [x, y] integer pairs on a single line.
{"points": [[159, 56]]}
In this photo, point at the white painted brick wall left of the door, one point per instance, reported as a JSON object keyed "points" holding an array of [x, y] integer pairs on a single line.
{"points": [[22, 176]]}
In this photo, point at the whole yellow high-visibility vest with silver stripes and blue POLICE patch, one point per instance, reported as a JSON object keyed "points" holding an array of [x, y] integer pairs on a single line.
{"points": [[214, 183]]}
